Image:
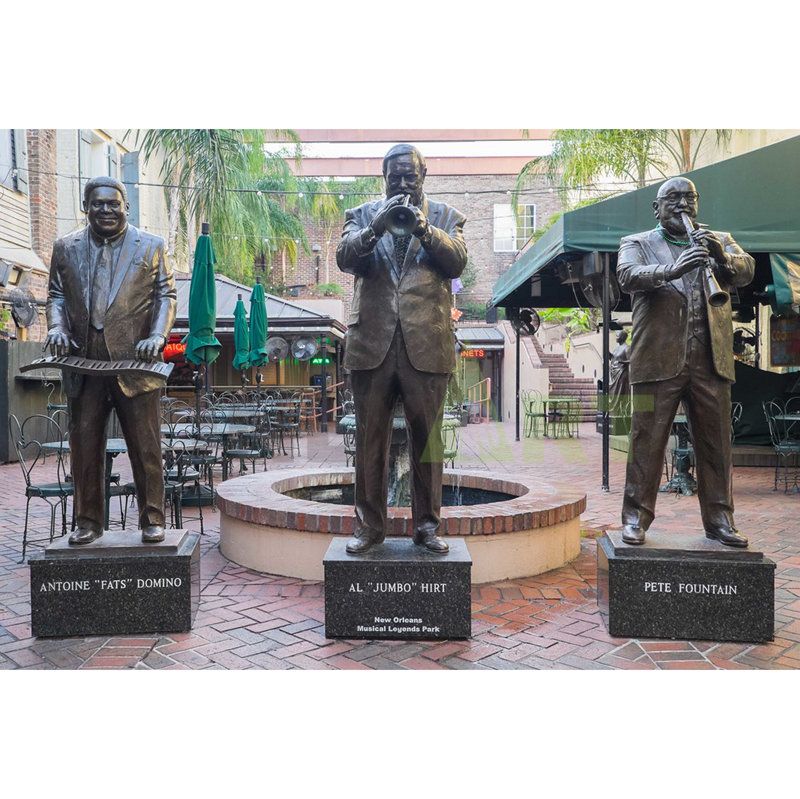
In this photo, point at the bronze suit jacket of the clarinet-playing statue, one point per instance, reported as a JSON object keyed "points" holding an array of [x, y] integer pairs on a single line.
{"points": [[661, 308]]}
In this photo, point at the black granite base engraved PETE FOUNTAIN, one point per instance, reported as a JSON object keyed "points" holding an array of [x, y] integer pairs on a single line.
{"points": [[684, 587]]}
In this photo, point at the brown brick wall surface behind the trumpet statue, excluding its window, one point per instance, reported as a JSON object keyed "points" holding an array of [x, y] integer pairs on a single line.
{"points": [[473, 195]]}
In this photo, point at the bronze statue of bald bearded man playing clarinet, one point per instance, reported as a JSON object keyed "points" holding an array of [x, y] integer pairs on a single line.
{"points": [[682, 350]]}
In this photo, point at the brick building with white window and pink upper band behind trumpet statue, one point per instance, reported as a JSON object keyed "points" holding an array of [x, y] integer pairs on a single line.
{"points": [[478, 185]]}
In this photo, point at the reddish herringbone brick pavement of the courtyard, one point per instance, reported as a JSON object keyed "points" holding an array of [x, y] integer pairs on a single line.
{"points": [[249, 620]]}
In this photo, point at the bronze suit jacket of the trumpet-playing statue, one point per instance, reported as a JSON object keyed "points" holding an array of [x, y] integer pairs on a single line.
{"points": [[418, 293]]}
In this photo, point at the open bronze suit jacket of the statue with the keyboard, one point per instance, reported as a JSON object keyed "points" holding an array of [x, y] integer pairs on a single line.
{"points": [[142, 301]]}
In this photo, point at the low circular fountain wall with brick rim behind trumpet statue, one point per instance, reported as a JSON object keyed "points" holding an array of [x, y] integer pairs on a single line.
{"points": [[532, 529]]}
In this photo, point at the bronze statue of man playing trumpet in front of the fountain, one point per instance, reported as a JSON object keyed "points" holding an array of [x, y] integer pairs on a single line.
{"points": [[404, 252]]}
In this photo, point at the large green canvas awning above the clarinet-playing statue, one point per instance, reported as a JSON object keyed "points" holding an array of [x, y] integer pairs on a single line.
{"points": [[755, 196]]}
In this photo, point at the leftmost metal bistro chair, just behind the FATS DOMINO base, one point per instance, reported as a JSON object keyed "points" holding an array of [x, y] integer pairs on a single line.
{"points": [[28, 438]]}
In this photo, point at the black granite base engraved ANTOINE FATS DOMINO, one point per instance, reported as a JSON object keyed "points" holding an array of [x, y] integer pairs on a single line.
{"points": [[116, 585]]}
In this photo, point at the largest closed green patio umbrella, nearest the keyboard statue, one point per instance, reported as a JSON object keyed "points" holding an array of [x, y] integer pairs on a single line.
{"points": [[202, 346]]}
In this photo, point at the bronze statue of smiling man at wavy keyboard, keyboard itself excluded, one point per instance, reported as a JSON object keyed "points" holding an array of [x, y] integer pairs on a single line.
{"points": [[111, 297]]}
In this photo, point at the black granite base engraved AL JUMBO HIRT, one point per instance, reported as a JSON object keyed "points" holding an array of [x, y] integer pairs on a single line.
{"points": [[397, 590]]}
